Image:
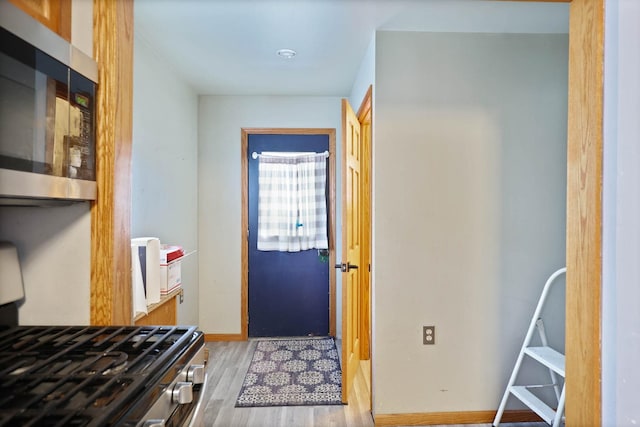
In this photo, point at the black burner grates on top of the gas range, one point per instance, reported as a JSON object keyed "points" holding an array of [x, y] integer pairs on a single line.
{"points": [[84, 376]]}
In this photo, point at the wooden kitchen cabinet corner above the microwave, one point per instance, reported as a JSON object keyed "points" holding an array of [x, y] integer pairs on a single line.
{"points": [[56, 15]]}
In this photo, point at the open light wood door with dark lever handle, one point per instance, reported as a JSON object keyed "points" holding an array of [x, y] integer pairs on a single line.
{"points": [[351, 241]]}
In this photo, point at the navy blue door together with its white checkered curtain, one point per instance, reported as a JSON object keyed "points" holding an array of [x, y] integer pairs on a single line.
{"points": [[288, 288]]}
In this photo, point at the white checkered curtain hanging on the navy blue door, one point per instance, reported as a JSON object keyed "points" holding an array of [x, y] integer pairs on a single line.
{"points": [[292, 203]]}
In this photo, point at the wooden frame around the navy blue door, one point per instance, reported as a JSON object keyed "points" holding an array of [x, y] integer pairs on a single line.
{"points": [[244, 237]]}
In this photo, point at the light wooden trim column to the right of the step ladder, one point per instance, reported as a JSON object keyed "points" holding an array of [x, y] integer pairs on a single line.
{"points": [[584, 214]]}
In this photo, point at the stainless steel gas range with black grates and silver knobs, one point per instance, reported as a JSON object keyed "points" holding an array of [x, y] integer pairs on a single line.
{"points": [[102, 376]]}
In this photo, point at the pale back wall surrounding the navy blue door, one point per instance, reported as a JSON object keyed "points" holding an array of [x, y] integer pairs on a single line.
{"points": [[221, 119]]}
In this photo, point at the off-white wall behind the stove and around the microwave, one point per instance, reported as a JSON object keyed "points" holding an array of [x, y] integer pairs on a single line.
{"points": [[54, 243]]}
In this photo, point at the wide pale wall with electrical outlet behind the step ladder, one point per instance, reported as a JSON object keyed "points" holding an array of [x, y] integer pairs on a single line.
{"points": [[469, 213]]}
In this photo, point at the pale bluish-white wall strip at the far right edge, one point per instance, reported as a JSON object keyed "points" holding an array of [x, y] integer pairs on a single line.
{"points": [[621, 218]]}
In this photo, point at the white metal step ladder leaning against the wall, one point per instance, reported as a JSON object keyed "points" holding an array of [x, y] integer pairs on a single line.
{"points": [[545, 355]]}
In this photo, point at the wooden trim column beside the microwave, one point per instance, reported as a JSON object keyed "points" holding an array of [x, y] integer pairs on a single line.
{"points": [[111, 212]]}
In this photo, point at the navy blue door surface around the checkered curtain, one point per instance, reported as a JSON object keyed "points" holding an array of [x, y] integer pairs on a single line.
{"points": [[288, 291]]}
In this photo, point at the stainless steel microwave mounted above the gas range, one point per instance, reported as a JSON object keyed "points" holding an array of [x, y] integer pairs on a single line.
{"points": [[47, 114]]}
